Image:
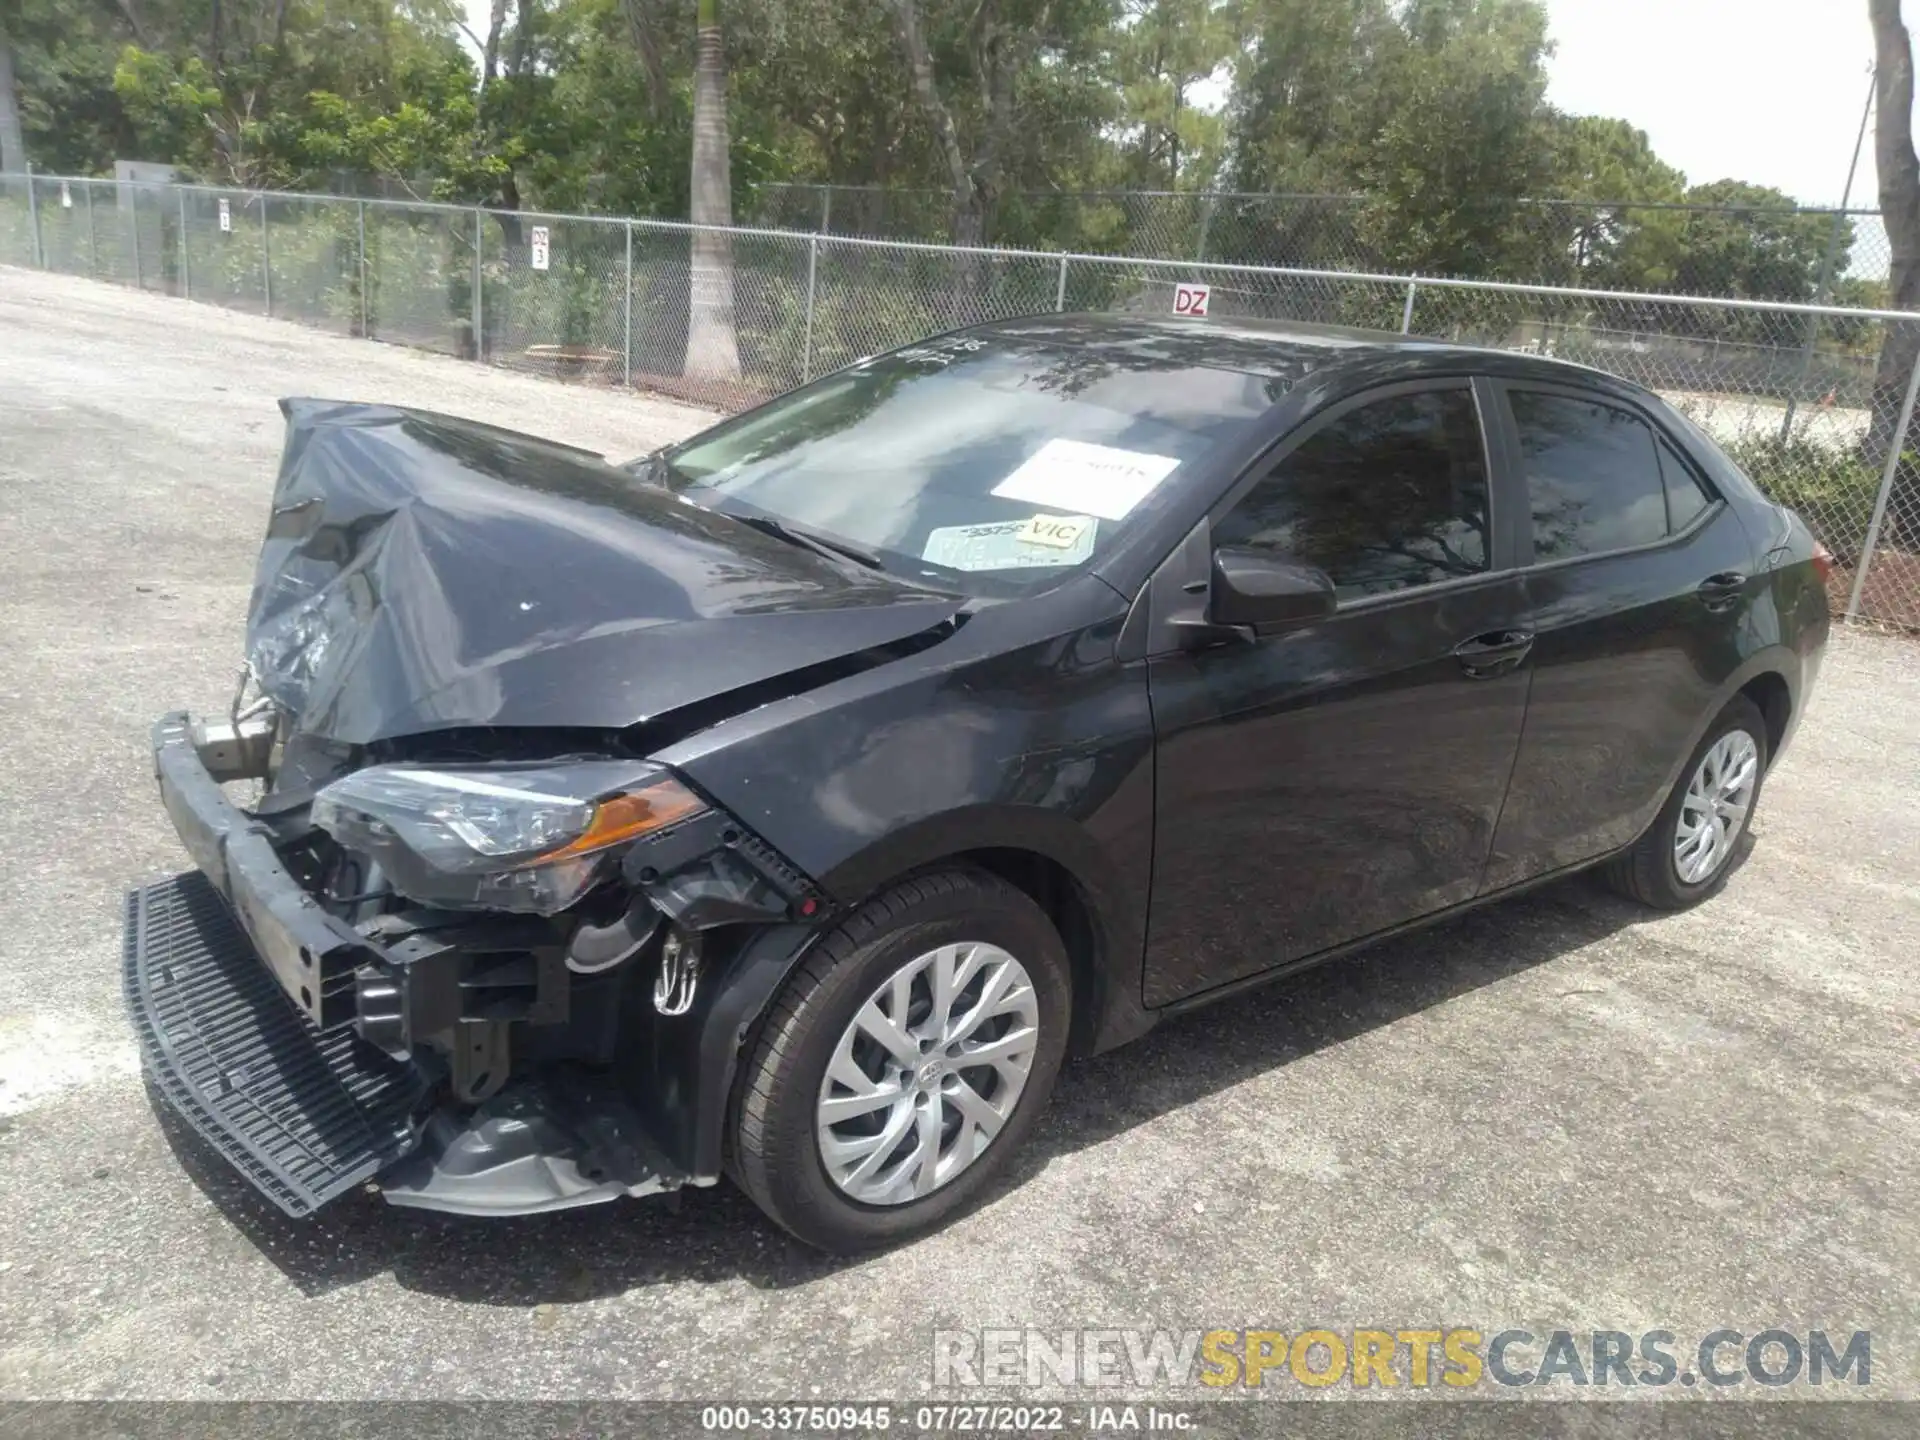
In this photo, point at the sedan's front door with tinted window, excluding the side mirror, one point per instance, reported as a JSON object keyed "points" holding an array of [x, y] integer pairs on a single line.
{"points": [[1337, 777]]}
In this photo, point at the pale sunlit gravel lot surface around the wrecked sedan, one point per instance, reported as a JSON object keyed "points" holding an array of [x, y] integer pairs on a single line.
{"points": [[1554, 1115]]}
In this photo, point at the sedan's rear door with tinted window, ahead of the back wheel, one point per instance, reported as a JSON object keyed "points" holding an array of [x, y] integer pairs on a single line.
{"points": [[1639, 585]]}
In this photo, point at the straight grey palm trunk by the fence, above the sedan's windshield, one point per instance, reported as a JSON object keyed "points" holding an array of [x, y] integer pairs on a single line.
{"points": [[711, 348]]}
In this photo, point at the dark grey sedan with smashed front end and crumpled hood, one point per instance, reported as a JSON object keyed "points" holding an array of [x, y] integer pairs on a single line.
{"points": [[790, 804]]}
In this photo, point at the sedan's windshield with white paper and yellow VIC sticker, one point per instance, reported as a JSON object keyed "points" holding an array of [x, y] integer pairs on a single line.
{"points": [[982, 464]]}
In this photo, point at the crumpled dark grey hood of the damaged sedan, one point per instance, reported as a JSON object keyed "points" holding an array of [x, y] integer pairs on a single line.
{"points": [[425, 573]]}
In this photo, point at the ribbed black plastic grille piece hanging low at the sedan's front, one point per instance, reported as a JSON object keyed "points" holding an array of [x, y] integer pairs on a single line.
{"points": [[304, 1116]]}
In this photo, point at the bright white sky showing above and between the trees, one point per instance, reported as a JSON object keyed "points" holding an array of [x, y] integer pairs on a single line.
{"points": [[1760, 91]]}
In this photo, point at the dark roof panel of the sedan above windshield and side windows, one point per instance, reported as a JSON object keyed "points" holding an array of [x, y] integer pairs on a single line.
{"points": [[1274, 348]]}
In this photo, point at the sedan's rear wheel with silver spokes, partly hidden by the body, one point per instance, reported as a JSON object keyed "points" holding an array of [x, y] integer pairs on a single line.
{"points": [[1689, 850]]}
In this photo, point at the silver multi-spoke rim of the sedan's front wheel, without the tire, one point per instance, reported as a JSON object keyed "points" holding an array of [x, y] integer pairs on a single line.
{"points": [[928, 1074]]}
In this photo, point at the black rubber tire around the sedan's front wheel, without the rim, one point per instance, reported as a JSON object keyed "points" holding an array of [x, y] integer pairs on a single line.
{"points": [[775, 1147]]}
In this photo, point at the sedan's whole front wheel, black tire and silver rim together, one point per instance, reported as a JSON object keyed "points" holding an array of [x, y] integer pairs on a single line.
{"points": [[903, 1065]]}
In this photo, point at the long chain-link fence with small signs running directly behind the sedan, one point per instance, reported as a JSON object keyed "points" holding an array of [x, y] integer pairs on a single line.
{"points": [[1815, 402]]}
